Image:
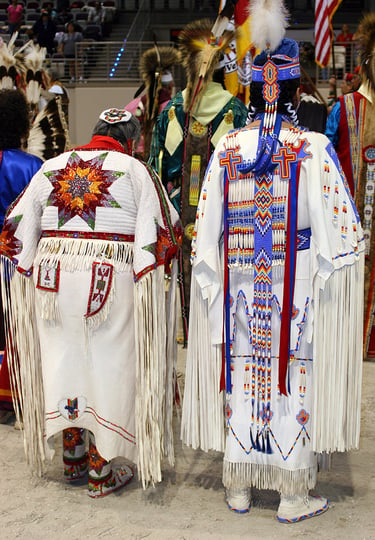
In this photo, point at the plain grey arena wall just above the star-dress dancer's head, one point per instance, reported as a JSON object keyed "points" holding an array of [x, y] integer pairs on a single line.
{"points": [[86, 104]]}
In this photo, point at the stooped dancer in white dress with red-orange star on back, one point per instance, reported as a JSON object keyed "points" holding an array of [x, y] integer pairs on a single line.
{"points": [[84, 252]]}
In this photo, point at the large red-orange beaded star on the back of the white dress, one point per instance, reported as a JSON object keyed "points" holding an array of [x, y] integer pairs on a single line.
{"points": [[80, 188]]}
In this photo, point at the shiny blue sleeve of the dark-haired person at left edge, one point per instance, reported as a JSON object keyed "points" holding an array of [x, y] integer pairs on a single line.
{"points": [[16, 170]]}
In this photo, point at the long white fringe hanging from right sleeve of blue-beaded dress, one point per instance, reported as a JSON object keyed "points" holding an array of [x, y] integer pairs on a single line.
{"points": [[338, 334]]}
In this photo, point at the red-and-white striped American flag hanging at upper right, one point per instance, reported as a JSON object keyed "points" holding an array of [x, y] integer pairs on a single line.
{"points": [[324, 11]]}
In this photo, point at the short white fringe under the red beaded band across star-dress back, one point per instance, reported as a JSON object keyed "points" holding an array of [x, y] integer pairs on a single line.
{"points": [[79, 254]]}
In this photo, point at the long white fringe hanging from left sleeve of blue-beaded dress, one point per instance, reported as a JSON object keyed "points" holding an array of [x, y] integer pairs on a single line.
{"points": [[202, 423]]}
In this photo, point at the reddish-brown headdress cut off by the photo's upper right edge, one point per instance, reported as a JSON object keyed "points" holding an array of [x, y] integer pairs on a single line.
{"points": [[366, 39]]}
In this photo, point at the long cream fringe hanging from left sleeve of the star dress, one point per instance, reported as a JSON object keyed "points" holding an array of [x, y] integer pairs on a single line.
{"points": [[24, 359]]}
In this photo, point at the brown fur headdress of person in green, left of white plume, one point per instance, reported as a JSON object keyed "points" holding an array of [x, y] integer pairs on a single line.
{"points": [[200, 53]]}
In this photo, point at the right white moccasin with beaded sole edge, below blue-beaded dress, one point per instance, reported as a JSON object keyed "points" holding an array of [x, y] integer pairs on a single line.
{"points": [[298, 507]]}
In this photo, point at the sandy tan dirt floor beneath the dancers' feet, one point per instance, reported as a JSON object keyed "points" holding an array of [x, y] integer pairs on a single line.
{"points": [[189, 503]]}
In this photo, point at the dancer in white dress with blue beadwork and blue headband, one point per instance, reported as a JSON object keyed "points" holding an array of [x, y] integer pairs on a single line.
{"points": [[276, 300]]}
